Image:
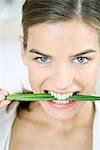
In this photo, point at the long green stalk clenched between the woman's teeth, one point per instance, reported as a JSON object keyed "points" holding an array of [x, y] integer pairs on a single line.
{"points": [[47, 97]]}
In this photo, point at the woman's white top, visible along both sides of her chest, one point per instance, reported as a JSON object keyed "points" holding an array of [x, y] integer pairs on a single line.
{"points": [[7, 119]]}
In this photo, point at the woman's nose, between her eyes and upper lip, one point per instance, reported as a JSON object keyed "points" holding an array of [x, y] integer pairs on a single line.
{"points": [[63, 77]]}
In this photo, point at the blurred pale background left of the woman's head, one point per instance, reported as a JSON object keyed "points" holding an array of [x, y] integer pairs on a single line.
{"points": [[13, 73]]}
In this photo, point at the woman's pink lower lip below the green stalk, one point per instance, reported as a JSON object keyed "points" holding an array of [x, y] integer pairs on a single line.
{"points": [[61, 106]]}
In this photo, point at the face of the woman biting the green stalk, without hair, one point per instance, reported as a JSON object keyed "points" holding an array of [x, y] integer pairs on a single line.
{"points": [[62, 58]]}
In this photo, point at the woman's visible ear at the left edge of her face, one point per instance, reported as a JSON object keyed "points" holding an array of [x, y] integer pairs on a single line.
{"points": [[23, 50]]}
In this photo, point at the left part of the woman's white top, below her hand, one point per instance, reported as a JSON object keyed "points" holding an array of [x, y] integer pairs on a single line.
{"points": [[6, 122]]}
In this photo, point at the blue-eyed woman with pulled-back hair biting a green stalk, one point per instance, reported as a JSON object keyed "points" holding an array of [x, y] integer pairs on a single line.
{"points": [[61, 49]]}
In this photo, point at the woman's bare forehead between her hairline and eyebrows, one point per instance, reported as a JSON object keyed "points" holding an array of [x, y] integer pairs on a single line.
{"points": [[72, 34]]}
